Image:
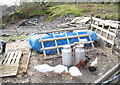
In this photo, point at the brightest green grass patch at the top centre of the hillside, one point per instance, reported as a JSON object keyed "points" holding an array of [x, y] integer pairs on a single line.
{"points": [[59, 11]]}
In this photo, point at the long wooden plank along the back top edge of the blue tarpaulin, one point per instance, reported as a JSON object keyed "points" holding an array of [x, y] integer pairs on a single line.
{"points": [[60, 38]]}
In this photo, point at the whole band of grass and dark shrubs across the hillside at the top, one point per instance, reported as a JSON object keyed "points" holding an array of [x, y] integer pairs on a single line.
{"points": [[55, 10]]}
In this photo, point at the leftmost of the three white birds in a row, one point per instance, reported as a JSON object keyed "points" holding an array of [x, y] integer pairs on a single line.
{"points": [[44, 68]]}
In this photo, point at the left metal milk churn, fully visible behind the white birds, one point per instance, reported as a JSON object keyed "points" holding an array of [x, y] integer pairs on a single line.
{"points": [[67, 55]]}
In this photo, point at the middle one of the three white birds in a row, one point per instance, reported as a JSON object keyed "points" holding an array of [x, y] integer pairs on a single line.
{"points": [[60, 69]]}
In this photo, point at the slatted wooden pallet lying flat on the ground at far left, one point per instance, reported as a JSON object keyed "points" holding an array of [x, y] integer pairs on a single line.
{"points": [[9, 63]]}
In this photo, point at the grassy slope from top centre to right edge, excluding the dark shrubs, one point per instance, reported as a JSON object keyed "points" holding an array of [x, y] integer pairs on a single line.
{"points": [[104, 11]]}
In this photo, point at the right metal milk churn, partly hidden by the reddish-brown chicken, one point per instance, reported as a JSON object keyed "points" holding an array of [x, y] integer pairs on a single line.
{"points": [[79, 53]]}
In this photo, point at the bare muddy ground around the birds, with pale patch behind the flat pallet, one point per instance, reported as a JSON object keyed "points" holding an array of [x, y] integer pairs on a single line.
{"points": [[105, 61]]}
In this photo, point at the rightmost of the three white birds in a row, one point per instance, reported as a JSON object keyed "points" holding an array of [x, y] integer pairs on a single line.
{"points": [[74, 72]]}
